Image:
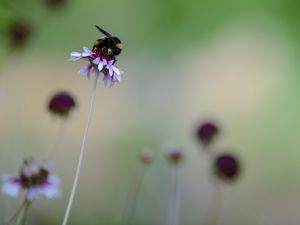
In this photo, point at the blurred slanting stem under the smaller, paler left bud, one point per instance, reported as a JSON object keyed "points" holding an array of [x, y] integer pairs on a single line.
{"points": [[132, 197]]}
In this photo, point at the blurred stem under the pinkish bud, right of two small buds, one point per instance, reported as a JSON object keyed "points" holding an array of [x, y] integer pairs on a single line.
{"points": [[175, 202]]}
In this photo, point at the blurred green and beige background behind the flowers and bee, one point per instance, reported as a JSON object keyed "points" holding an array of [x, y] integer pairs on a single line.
{"points": [[234, 62]]}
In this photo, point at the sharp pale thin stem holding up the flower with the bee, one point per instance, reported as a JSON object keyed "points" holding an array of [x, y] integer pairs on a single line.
{"points": [[82, 149]]}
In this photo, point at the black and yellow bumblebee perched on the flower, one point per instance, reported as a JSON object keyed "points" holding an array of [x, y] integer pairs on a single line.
{"points": [[109, 45]]}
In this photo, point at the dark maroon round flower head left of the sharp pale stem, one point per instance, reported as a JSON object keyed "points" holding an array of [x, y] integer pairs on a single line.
{"points": [[61, 104]]}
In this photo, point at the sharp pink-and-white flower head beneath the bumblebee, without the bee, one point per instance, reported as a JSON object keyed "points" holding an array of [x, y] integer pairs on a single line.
{"points": [[98, 62]]}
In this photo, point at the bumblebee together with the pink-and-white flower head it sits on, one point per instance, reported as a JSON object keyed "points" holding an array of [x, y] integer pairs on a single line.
{"points": [[101, 58]]}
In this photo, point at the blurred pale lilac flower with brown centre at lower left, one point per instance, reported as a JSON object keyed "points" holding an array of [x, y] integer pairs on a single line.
{"points": [[35, 178]]}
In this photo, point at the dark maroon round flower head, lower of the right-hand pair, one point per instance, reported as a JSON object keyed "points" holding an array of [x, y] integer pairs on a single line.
{"points": [[227, 167]]}
